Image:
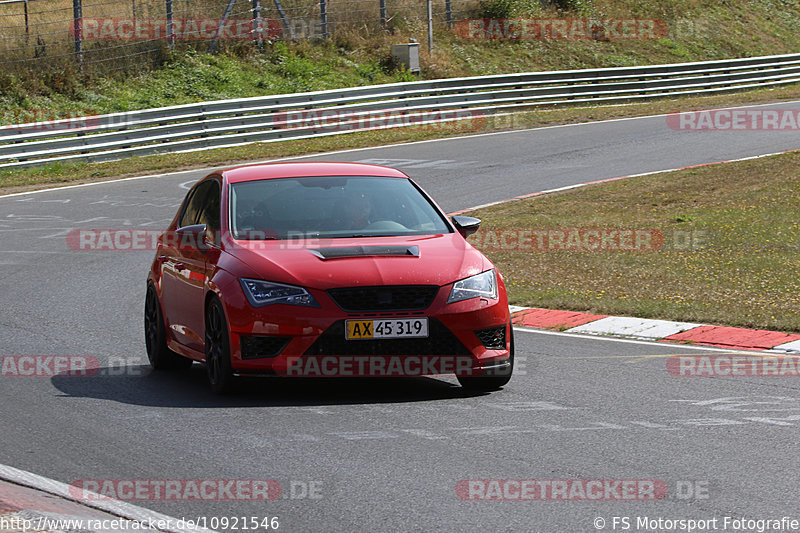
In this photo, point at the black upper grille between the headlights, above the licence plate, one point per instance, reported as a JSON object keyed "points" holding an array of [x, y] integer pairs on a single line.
{"points": [[384, 298]]}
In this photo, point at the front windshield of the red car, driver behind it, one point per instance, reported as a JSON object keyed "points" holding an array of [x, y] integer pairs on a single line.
{"points": [[331, 207]]}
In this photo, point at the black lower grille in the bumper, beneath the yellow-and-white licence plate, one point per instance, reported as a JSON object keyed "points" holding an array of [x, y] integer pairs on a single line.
{"points": [[440, 341]]}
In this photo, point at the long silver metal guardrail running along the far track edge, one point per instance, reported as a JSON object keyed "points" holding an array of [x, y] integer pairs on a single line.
{"points": [[229, 123]]}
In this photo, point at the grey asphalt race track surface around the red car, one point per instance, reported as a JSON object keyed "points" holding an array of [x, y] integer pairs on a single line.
{"points": [[387, 455]]}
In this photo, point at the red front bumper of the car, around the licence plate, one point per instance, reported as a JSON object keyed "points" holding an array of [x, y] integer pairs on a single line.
{"points": [[468, 336]]}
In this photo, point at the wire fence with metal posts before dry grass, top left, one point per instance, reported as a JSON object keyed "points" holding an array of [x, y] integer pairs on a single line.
{"points": [[120, 33]]}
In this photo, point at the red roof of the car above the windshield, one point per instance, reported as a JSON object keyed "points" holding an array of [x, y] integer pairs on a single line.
{"points": [[307, 169]]}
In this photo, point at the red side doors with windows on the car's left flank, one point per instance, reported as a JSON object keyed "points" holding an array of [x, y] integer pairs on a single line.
{"points": [[184, 270]]}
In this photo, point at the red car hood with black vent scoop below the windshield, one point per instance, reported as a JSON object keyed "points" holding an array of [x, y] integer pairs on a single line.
{"points": [[416, 260]]}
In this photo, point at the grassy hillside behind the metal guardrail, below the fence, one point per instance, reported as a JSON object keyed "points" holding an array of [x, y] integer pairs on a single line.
{"points": [[359, 55]]}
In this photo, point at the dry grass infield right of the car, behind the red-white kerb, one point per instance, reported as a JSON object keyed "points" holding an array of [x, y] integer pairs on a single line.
{"points": [[744, 270]]}
